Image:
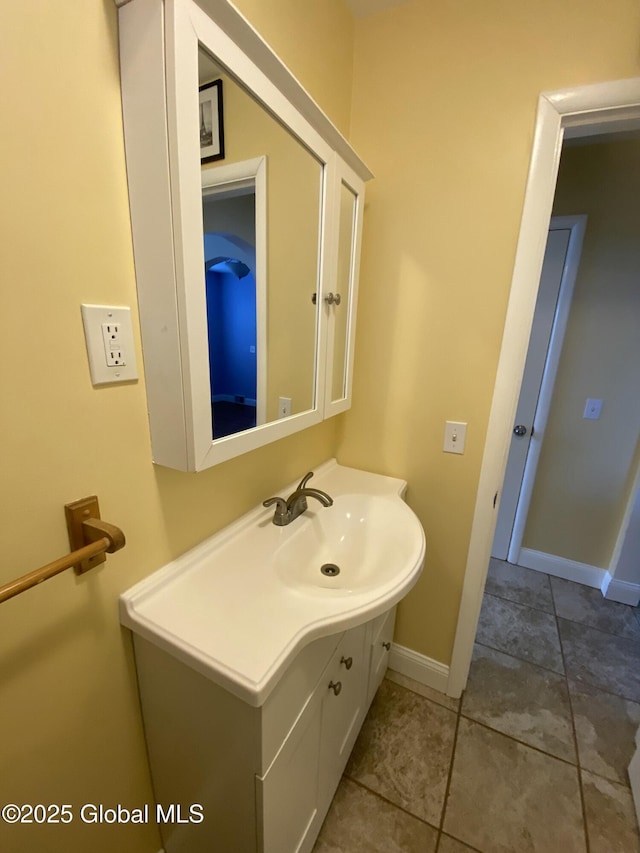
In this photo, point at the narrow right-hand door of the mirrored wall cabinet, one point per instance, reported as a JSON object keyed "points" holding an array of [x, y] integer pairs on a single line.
{"points": [[340, 304]]}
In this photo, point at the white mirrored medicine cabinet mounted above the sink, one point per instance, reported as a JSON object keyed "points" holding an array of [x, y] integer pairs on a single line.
{"points": [[246, 208]]}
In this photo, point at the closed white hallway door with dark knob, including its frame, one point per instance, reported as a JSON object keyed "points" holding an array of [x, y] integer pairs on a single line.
{"points": [[564, 243]]}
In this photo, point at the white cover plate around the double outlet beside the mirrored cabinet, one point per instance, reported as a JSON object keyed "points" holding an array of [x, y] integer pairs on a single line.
{"points": [[93, 317]]}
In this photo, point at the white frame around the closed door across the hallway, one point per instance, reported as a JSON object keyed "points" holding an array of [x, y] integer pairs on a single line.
{"points": [[515, 516]]}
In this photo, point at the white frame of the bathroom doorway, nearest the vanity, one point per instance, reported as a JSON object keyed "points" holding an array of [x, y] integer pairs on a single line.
{"points": [[580, 111]]}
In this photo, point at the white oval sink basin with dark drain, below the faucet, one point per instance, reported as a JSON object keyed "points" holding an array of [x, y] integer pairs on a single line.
{"points": [[355, 546]]}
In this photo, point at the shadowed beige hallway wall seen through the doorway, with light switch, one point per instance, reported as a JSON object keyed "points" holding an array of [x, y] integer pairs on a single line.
{"points": [[585, 469]]}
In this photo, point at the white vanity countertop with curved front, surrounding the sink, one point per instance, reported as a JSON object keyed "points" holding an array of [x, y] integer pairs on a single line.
{"points": [[224, 609]]}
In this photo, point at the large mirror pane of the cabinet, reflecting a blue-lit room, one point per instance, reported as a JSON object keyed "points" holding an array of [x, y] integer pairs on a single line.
{"points": [[261, 320]]}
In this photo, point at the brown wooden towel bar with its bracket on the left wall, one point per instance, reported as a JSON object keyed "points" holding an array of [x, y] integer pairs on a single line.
{"points": [[90, 538]]}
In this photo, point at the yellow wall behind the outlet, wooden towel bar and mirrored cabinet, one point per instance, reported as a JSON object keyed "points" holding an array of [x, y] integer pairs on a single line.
{"points": [[68, 705]]}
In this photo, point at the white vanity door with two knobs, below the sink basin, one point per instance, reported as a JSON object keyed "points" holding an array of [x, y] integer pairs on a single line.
{"points": [[343, 708]]}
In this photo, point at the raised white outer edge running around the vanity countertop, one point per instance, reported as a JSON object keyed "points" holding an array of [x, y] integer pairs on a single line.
{"points": [[256, 693]]}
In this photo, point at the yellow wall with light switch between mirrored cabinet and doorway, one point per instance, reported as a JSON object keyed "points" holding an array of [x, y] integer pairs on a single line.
{"points": [[444, 104]]}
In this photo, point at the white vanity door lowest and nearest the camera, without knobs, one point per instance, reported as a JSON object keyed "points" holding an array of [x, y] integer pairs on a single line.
{"points": [[287, 796]]}
